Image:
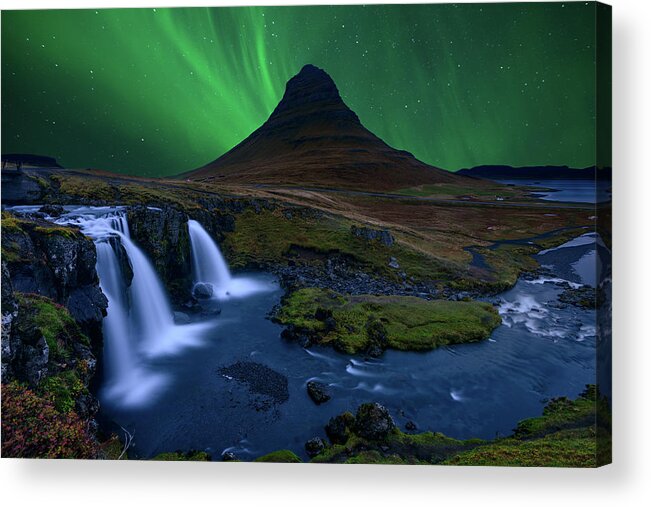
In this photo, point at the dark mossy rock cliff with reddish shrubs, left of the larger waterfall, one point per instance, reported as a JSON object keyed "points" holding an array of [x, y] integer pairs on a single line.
{"points": [[52, 308]]}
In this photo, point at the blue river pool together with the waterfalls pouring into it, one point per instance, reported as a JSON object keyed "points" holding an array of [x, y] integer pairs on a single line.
{"points": [[164, 385]]}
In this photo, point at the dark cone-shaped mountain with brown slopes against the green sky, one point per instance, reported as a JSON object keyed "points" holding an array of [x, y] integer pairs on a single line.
{"points": [[313, 139]]}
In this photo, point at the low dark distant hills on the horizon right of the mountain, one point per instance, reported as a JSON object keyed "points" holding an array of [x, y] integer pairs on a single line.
{"points": [[548, 172]]}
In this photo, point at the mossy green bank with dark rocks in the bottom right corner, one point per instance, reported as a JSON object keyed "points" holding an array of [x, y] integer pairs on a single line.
{"points": [[570, 433]]}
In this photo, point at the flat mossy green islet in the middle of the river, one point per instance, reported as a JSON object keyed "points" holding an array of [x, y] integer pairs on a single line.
{"points": [[352, 324]]}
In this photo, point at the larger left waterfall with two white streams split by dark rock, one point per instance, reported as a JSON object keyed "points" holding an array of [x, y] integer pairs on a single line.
{"points": [[139, 322]]}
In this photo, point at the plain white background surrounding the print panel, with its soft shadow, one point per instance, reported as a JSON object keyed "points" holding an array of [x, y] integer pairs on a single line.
{"points": [[626, 482]]}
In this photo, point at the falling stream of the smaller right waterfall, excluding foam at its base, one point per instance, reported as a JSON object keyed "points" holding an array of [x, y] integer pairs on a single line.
{"points": [[208, 264]]}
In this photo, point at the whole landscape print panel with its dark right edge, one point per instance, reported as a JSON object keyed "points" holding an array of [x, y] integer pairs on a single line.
{"points": [[332, 234]]}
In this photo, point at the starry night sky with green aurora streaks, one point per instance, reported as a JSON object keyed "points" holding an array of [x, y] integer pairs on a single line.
{"points": [[160, 91]]}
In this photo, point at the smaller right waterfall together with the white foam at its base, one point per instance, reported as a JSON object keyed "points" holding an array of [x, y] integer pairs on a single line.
{"points": [[209, 266]]}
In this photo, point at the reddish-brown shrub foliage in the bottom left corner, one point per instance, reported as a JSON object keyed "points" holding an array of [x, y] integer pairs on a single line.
{"points": [[32, 428]]}
